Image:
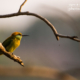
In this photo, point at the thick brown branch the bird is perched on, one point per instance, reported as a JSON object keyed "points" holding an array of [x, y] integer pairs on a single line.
{"points": [[10, 55]]}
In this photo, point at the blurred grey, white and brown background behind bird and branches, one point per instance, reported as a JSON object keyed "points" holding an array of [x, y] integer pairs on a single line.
{"points": [[41, 53]]}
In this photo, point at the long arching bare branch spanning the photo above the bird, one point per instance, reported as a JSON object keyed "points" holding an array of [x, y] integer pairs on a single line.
{"points": [[57, 35]]}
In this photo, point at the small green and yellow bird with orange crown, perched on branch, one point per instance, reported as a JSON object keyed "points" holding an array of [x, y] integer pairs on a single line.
{"points": [[13, 42]]}
